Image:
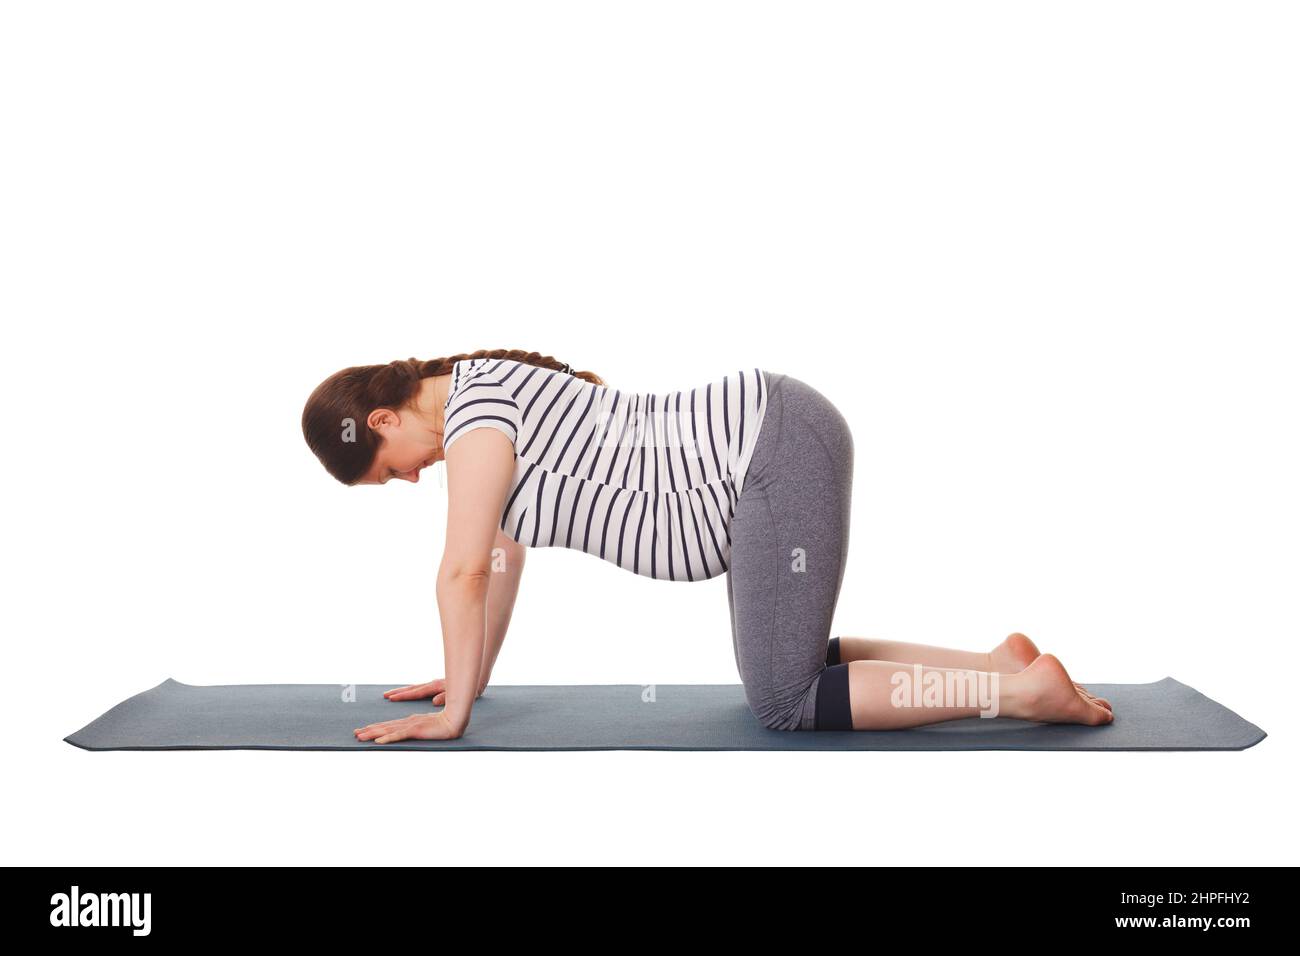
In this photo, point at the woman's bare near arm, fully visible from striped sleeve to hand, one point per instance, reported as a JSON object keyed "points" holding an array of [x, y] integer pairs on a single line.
{"points": [[480, 468]]}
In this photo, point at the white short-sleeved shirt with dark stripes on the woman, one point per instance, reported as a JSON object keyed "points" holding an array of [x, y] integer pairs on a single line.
{"points": [[645, 481]]}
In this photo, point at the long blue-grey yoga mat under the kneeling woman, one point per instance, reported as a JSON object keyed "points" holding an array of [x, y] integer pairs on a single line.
{"points": [[1160, 716]]}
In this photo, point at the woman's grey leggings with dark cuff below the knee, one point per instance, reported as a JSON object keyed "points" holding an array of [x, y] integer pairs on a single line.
{"points": [[790, 546]]}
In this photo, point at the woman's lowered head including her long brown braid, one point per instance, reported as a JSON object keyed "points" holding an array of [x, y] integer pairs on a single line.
{"points": [[370, 423]]}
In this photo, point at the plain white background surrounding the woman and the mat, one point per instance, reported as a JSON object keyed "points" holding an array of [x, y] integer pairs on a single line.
{"points": [[1043, 257]]}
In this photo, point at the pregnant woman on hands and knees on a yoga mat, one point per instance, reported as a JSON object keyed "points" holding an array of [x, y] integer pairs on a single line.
{"points": [[748, 475]]}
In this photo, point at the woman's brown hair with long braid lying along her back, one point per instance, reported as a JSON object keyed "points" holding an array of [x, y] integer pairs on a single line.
{"points": [[336, 413]]}
